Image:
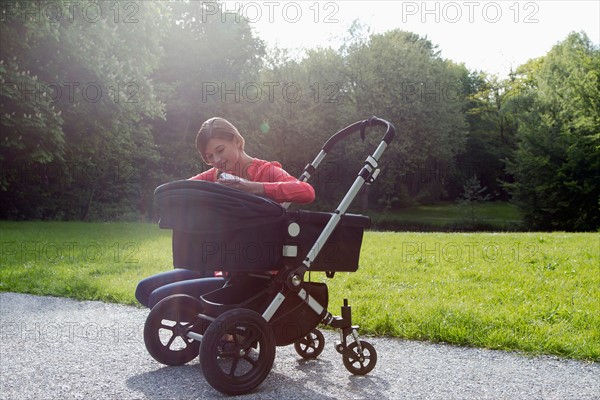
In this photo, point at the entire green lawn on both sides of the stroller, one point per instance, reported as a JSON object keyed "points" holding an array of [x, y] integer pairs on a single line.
{"points": [[533, 292]]}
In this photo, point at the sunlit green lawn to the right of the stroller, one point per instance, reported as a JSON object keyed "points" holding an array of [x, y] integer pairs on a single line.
{"points": [[535, 292]]}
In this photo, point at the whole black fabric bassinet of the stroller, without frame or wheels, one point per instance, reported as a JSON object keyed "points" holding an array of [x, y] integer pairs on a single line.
{"points": [[219, 228]]}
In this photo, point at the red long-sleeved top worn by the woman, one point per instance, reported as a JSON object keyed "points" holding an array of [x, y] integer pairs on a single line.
{"points": [[278, 184]]}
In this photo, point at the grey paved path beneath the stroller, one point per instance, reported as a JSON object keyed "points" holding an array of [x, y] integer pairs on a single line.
{"points": [[53, 348]]}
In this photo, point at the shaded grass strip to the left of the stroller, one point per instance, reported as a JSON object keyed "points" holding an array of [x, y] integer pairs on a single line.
{"points": [[85, 261]]}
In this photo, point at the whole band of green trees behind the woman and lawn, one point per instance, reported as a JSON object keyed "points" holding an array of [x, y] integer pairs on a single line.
{"points": [[101, 103]]}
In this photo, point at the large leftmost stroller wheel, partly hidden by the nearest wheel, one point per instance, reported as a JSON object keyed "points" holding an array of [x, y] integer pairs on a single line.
{"points": [[166, 326]]}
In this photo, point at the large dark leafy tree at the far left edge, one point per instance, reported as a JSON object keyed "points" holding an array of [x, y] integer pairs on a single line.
{"points": [[76, 110]]}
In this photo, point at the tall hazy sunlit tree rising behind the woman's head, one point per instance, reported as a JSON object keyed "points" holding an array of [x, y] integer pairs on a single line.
{"points": [[210, 55]]}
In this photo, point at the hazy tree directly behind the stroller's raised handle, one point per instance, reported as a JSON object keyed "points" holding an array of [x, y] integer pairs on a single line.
{"points": [[310, 105]]}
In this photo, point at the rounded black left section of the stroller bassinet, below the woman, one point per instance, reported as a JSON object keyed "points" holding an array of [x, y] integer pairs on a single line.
{"points": [[217, 228]]}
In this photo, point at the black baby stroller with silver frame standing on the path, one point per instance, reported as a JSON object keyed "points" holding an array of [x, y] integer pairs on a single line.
{"points": [[266, 250]]}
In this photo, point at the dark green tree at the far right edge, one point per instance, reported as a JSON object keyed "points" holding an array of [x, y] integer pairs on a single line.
{"points": [[556, 166]]}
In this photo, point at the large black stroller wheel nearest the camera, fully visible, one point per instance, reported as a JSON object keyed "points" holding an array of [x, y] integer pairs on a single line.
{"points": [[237, 351]]}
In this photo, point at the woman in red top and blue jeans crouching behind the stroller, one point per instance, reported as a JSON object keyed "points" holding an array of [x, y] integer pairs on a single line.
{"points": [[222, 147]]}
